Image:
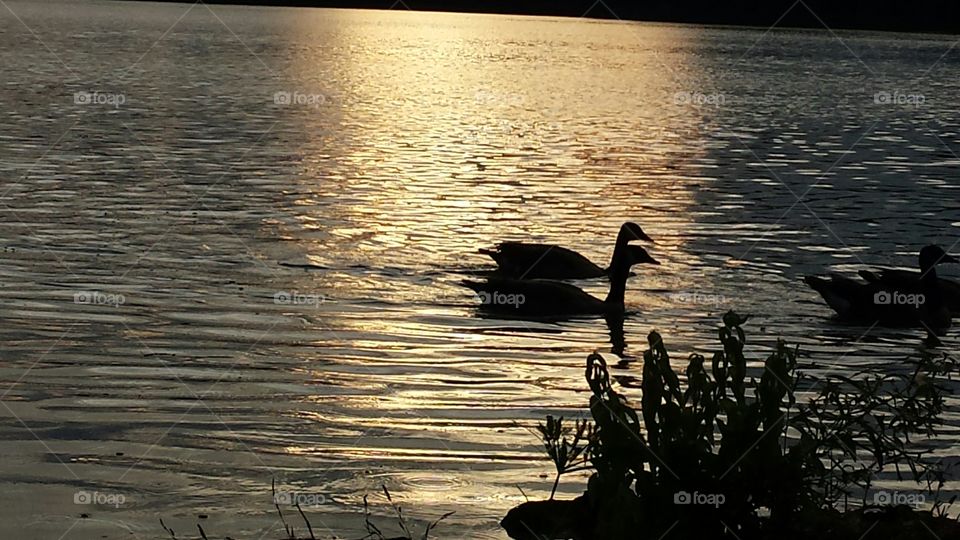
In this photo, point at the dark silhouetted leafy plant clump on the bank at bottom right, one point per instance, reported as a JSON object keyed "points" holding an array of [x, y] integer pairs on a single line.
{"points": [[716, 455]]}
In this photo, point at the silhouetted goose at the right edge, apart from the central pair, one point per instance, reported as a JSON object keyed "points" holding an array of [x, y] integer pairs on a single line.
{"points": [[889, 304]]}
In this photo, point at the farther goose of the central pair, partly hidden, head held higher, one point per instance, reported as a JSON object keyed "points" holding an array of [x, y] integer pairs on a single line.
{"points": [[523, 260]]}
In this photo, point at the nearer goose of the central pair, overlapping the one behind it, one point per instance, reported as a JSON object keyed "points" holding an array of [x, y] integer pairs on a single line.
{"points": [[545, 298]]}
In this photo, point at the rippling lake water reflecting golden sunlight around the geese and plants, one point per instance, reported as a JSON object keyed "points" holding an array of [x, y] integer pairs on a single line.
{"points": [[206, 285]]}
